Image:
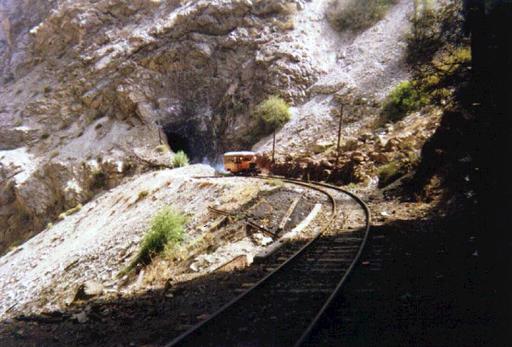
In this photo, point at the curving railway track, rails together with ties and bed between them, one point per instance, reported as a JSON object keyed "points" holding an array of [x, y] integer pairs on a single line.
{"points": [[284, 307]]}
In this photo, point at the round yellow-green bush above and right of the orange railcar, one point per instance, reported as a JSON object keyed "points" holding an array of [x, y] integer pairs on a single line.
{"points": [[272, 113]]}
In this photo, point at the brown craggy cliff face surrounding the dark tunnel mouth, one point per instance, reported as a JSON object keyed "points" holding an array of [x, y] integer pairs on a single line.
{"points": [[90, 88]]}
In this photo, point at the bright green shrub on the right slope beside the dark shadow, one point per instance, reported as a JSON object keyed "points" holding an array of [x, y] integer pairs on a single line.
{"points": [[405, 98]]}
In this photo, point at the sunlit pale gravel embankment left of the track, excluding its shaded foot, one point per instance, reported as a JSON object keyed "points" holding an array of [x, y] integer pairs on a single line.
{"points": [[92, 244]]}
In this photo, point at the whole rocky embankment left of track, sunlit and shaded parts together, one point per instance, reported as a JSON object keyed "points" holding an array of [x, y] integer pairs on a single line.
{"points": [[89, 304]]}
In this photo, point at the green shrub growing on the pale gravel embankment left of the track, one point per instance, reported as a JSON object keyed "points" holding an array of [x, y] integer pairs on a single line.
{"points": [[166, 230]]}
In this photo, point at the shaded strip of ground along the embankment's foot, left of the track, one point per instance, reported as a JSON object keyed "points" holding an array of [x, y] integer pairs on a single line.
{"points": [[151, 318]]}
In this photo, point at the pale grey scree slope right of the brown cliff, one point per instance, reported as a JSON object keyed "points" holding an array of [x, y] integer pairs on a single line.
{"points": [[359, 71]]}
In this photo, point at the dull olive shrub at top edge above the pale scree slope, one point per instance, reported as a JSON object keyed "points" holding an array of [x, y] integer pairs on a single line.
{"points": [[357, 15]]}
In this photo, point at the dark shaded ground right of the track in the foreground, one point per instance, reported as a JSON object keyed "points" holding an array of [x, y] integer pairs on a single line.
{"points": [[422, 283]]}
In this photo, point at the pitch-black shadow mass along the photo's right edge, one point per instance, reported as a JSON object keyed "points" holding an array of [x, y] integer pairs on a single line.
{"points": [[471, 148]]}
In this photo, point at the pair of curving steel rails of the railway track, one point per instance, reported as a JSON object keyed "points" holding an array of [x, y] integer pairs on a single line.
{"points": [[334, 214]]}
